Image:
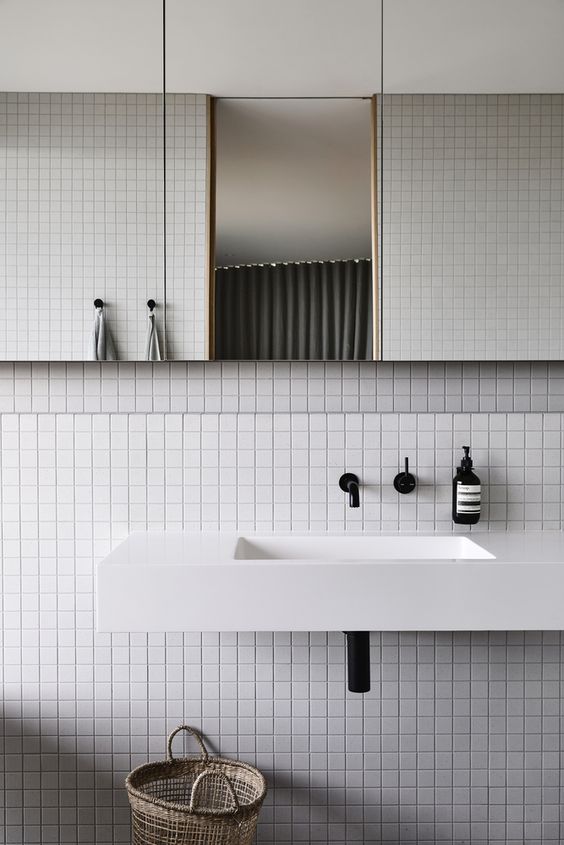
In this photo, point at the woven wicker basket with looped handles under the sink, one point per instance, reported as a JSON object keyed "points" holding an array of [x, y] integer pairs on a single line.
{"points": [[195, 800]]}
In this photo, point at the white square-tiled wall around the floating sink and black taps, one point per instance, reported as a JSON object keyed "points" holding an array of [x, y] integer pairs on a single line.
{"points": [[460, 739]]}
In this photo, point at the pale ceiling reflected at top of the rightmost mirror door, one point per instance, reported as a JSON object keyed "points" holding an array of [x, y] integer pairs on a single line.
{"points": [[481, 46]]}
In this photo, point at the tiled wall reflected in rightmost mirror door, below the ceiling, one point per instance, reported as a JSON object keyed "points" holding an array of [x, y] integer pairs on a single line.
{"points": [[473, 223]]}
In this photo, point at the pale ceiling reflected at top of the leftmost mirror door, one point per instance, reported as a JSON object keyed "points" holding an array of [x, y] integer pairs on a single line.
{"points": [[81, 45]]}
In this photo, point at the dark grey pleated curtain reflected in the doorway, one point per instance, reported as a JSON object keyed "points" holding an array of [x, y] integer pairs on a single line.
{"points": [[309, 310]]}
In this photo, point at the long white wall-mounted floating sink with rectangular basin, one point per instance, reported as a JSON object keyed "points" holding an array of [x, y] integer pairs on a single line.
{"points": [[179, 581]]}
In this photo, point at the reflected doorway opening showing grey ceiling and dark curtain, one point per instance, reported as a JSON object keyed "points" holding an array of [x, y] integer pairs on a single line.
{"points": [[293, 255]]}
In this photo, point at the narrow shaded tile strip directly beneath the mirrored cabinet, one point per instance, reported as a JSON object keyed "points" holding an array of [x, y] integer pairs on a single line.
{"points": [[214, 387]]}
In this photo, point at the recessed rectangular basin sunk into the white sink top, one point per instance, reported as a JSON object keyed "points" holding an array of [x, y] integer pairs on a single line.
{"points": [[360, 548]]}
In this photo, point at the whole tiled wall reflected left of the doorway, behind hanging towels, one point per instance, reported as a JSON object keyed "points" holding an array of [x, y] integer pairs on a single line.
{"points": [[81, 217]]}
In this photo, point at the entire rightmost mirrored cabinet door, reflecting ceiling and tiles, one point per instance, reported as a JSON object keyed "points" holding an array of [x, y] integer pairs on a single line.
{"points": [[472, 181]]}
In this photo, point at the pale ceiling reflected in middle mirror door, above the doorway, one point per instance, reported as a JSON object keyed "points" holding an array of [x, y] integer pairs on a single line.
{"points": [[269, 48]]}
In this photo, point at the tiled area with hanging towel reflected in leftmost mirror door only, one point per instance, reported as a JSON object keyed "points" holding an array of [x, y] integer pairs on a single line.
{"points": [[81, 178]]}
